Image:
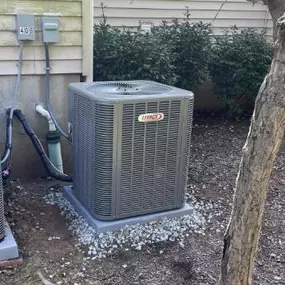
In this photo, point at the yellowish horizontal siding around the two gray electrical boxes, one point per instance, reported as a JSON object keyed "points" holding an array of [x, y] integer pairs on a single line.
{"points": [[66, 56]]}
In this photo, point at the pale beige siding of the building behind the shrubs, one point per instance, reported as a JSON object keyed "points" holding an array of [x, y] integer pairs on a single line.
{"points": [[240, 13]]}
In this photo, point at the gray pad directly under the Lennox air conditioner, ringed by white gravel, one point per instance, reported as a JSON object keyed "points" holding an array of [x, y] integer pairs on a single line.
{"points": [[105, 226]]}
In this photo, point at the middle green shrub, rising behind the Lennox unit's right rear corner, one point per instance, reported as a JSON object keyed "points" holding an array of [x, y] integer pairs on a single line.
{"points": [[191, 47]]}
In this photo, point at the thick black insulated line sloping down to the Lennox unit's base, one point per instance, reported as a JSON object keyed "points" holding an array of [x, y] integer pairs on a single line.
{"points": [[50, 168]]}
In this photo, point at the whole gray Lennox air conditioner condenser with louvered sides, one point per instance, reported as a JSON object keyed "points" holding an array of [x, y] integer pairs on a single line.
{"points": [[131, 144]]}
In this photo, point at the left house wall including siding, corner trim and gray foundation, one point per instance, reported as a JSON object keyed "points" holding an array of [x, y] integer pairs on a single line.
{"points": [[71, 59]]}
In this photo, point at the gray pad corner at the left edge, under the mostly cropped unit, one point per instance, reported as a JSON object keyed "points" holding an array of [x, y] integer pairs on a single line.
{"points": [[8, 247]]}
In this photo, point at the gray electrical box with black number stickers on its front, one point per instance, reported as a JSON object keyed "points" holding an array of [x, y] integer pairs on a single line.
{"points": [[26, 27]]}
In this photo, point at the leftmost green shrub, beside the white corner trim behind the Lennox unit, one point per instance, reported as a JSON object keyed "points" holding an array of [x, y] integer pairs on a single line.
{"points": [[131, 55]]}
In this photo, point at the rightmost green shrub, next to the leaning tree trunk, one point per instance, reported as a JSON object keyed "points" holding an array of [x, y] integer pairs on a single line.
{"points": [[239, 62]]}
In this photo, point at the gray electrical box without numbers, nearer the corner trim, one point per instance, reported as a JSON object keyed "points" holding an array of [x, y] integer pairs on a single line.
{"points": [[50, 26]]}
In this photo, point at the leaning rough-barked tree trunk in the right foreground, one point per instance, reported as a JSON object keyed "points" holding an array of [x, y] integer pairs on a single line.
{"points": [[258, 155]]}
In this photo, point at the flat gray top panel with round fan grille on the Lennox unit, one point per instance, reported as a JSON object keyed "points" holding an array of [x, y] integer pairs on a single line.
{"points": [[126, 91]]}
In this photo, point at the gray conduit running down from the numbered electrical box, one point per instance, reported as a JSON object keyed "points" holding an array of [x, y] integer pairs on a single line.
{"points": [[8, 146]]}
